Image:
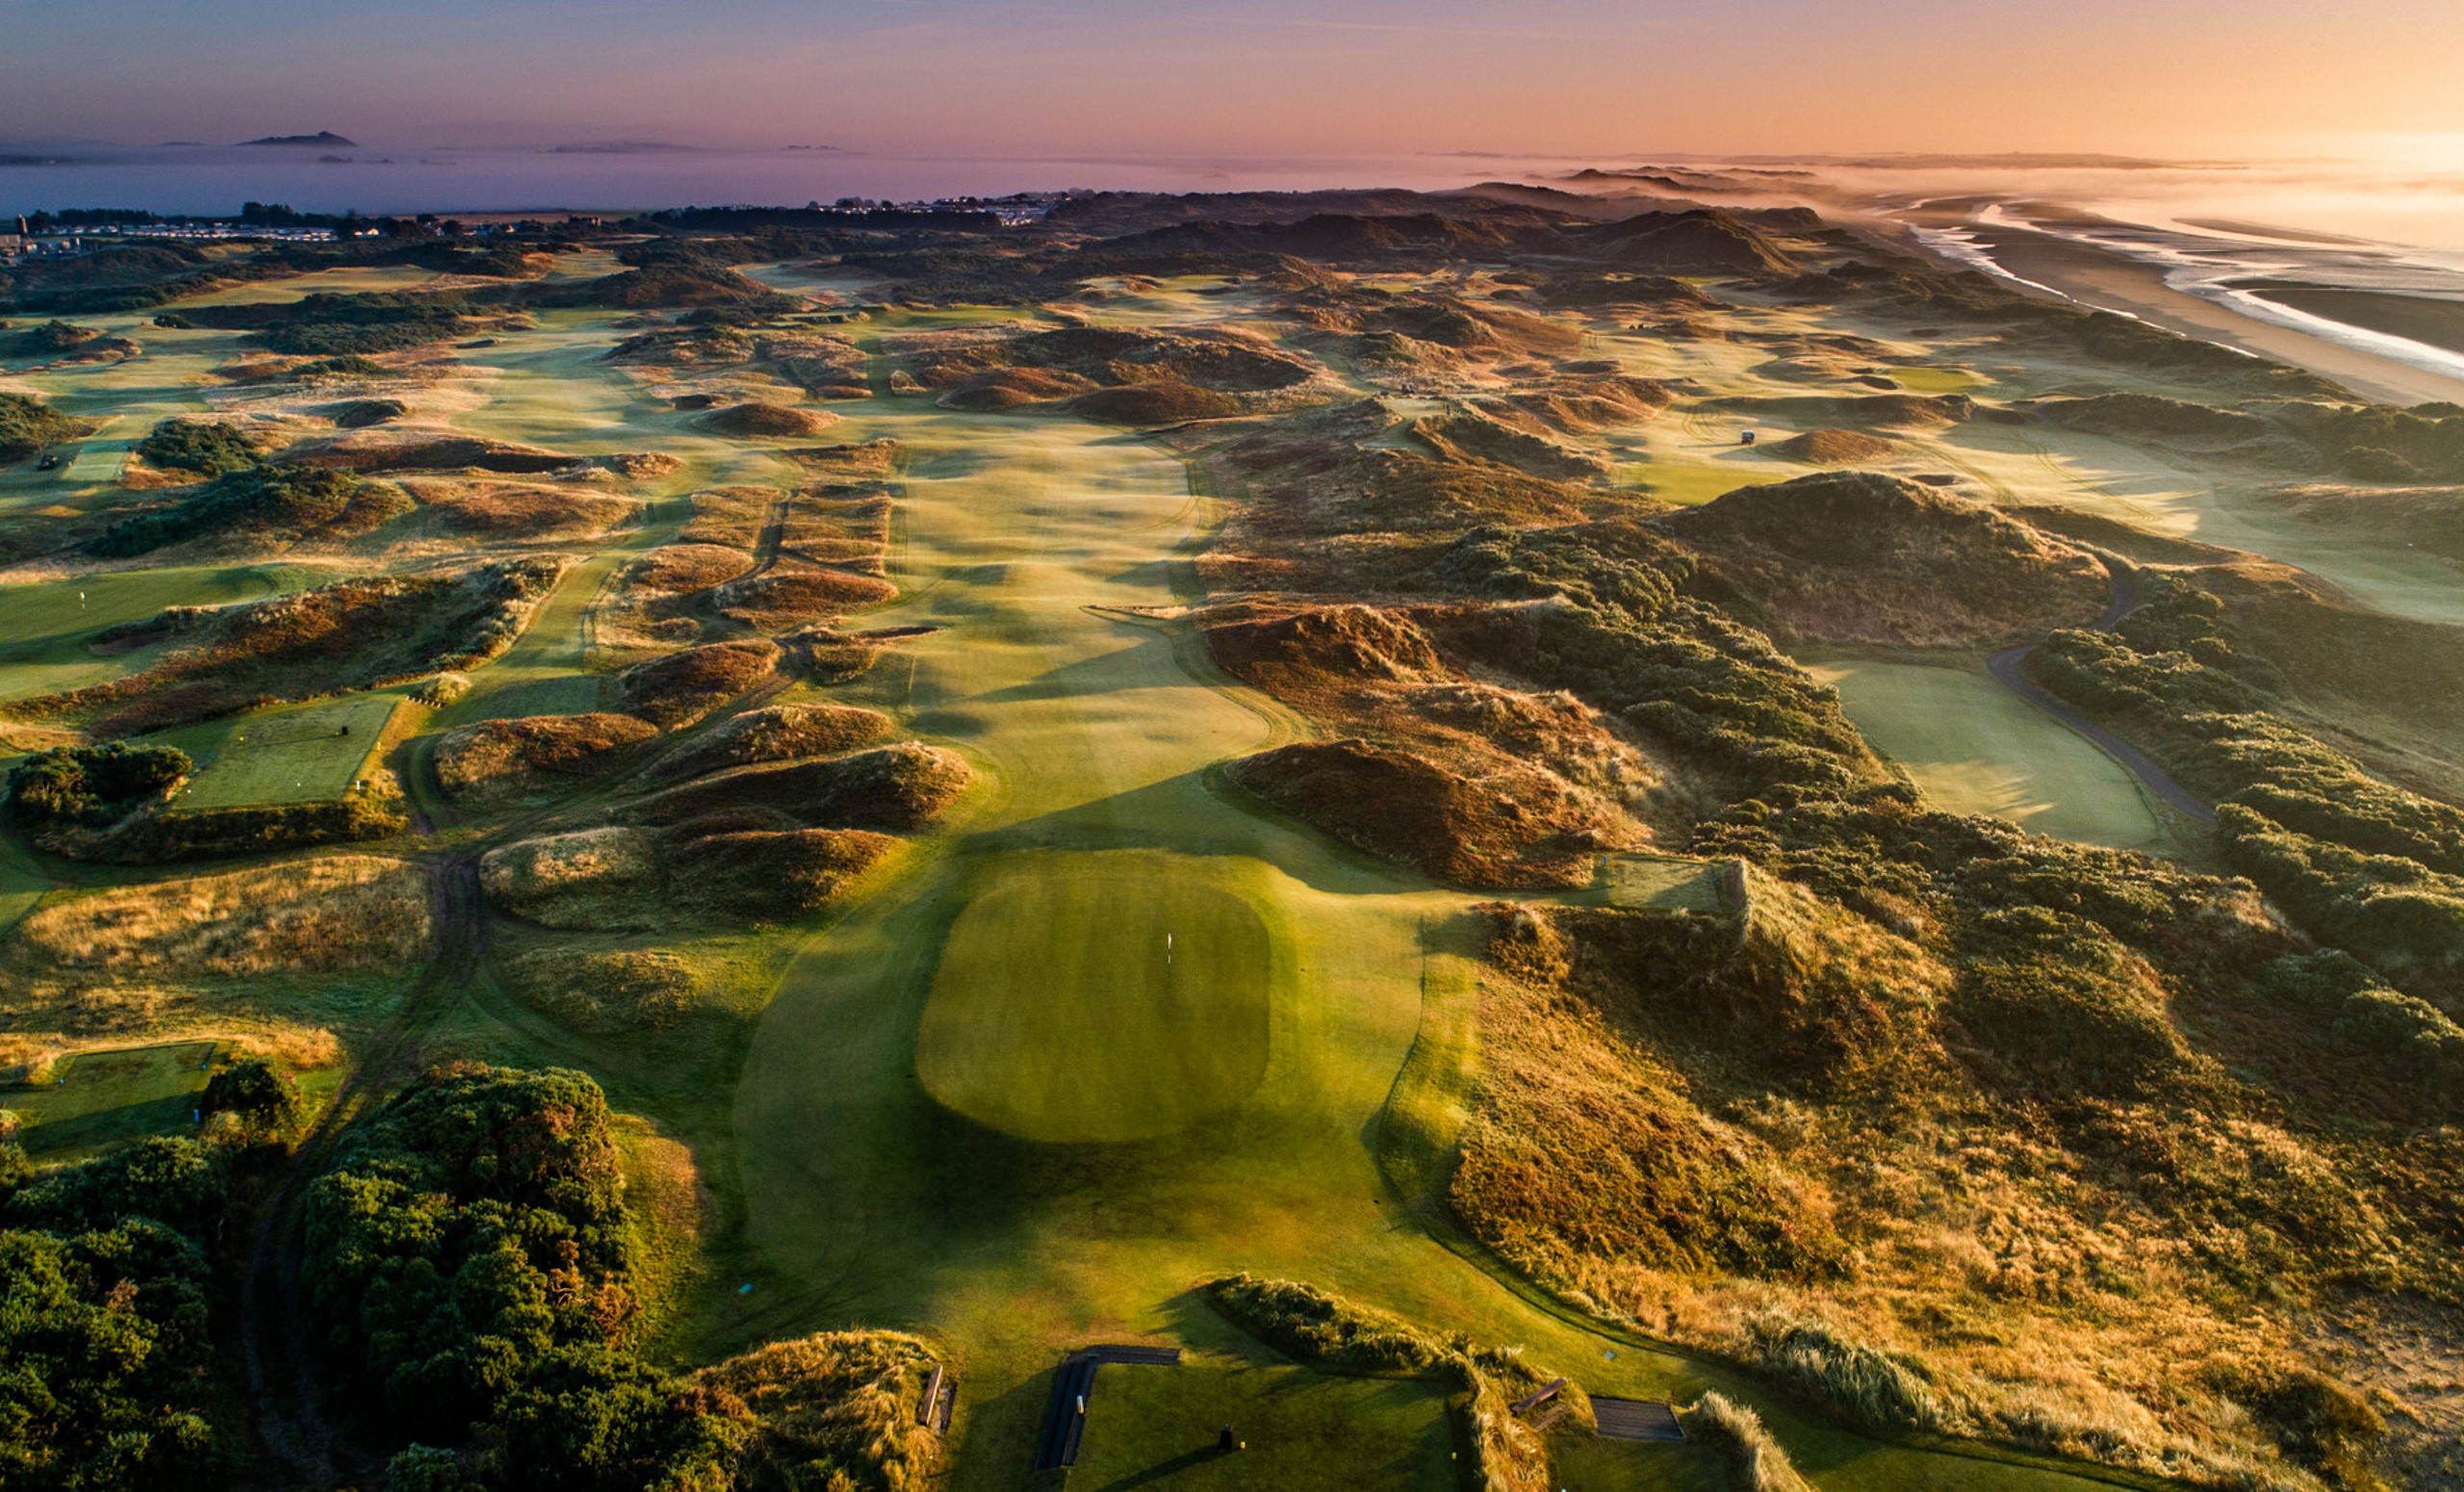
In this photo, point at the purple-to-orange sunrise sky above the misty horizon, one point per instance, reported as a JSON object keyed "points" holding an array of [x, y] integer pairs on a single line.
{"points": [[1278, 78]]}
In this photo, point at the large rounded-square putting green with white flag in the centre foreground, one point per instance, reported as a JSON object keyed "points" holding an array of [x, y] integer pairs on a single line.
{"points": [[1098, 998]]}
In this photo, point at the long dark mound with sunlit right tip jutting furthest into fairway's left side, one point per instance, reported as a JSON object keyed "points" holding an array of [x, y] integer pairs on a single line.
{"points": [[888, 788]]}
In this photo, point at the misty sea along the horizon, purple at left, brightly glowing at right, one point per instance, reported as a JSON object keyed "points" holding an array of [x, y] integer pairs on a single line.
{"points": [[2364, 243]]}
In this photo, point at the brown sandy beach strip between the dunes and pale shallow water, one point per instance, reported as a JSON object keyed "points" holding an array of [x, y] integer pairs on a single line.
{"points": [[2115, 282]]}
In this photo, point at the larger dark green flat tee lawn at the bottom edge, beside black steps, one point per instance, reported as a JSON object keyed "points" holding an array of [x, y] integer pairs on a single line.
{"points": [[1152, 1427]]}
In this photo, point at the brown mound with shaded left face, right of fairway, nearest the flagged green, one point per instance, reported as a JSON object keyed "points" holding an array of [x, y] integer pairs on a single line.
{"points": [[1522, 827]]}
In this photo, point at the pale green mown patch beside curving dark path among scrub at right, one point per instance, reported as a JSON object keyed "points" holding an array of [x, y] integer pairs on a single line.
{"points": [[1977, 748]]}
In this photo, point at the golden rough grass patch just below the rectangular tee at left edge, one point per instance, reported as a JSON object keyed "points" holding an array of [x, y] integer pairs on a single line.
{"points": [[319, 916]]}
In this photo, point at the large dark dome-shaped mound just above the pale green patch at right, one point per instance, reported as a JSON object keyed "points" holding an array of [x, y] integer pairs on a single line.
{"points": [[1876, 559]]}
